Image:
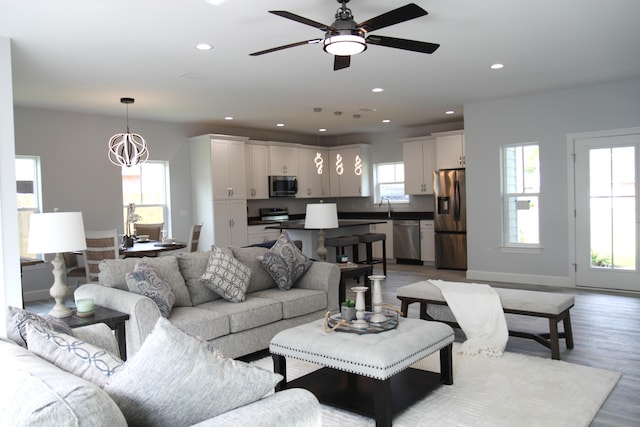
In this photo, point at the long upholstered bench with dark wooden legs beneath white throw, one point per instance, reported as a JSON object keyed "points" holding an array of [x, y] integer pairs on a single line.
{"points": [[550, 305]]}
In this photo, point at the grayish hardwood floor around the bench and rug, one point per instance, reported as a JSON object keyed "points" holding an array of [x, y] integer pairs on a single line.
{"points": [[606, 331]]}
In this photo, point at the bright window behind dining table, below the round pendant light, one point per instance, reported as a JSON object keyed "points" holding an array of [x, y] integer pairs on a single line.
{"points": [[147, 186]]}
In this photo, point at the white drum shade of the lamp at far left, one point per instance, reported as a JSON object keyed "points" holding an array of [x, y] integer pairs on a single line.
{"points": [[56, 232]]}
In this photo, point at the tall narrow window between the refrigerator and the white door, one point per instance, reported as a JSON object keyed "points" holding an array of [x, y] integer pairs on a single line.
{"points": [[521, 194]]}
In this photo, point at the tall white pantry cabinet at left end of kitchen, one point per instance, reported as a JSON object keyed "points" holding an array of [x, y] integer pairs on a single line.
{"points": [[219, 189]]}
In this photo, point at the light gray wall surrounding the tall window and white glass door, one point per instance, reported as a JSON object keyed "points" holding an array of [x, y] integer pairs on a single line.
{"points": [[546, 118]]}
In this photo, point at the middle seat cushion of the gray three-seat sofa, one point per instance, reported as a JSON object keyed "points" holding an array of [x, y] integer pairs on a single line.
{"points": [[253, 312]]}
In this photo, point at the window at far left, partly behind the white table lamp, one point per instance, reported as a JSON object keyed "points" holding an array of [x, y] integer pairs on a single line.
{"points": [[29, 199]]}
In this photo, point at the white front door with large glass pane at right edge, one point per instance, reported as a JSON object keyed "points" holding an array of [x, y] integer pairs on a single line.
{"points": [[606, 209]]}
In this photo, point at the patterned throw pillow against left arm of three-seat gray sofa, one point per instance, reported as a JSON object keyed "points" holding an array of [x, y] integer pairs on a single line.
{"points": [[145, 281]]}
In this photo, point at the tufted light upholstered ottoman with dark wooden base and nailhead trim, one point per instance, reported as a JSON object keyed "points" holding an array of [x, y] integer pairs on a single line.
{"points": [[368, 374]]}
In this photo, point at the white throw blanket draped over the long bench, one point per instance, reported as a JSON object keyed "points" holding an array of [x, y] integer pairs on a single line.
{"points": [[479, 313]]}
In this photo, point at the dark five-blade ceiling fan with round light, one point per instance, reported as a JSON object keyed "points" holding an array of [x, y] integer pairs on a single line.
{"points": [[344, 37]]}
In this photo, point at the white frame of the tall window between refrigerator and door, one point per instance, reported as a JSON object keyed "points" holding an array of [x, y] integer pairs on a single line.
{"points": [[509, 210]]}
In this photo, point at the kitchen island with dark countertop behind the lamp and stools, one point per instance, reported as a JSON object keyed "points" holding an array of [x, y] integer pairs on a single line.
{"points": [[309, 238]]}
